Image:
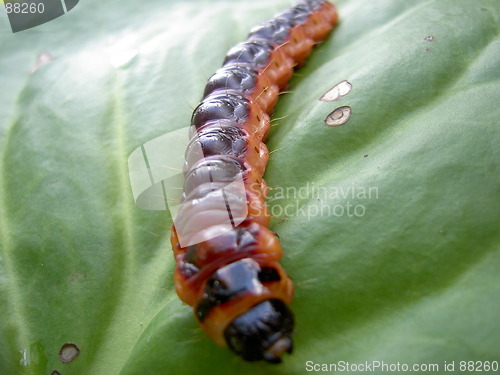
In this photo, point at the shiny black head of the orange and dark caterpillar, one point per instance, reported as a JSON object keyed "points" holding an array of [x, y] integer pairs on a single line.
{"points": [[262, 333]]}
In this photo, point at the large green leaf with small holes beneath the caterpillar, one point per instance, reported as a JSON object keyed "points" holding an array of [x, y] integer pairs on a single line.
{"points": [[399, 264]]}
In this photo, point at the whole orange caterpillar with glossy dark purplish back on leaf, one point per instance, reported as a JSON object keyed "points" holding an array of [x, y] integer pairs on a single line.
{"points": [[231, 275]]}
